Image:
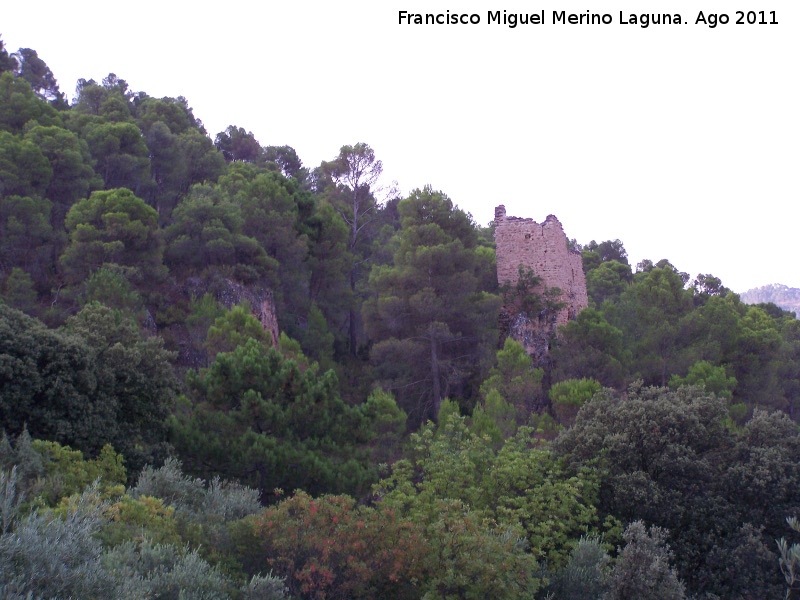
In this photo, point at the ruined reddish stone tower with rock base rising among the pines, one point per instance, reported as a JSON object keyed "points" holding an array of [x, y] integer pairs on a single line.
{"points": [[544, 249]]}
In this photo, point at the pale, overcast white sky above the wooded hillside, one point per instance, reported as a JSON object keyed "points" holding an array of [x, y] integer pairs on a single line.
{"points": [[679, 140]]}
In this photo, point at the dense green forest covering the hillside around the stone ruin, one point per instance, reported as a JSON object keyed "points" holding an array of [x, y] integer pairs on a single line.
{"points": [[226, 374]]}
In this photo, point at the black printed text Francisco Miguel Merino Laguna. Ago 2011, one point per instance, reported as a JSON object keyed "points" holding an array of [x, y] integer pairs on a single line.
{"points": [[562, 17]]}
